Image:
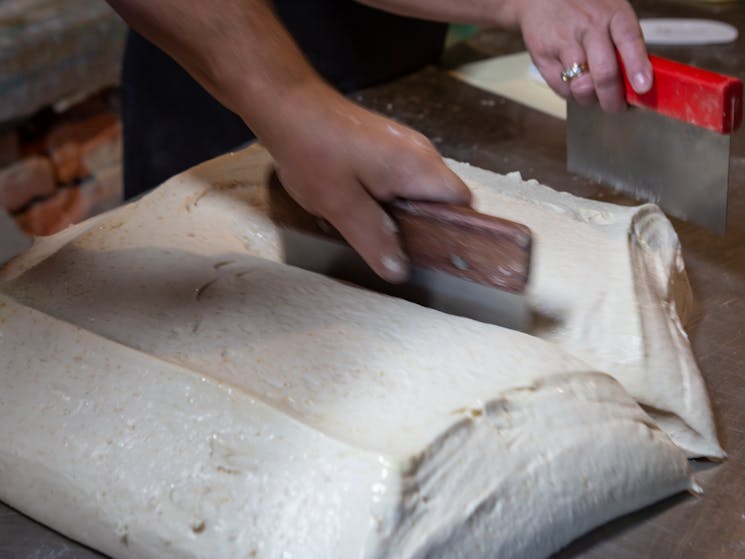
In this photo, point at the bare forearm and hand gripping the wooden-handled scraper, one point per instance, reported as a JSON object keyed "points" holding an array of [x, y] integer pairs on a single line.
{"points": [[334, 157]]}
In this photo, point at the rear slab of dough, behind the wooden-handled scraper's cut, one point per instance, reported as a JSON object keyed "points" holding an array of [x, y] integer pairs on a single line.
{"points": [[608, 282]]}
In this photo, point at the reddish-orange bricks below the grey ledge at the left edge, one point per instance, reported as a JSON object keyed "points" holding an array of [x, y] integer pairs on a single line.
{"points": [[59, 169]]}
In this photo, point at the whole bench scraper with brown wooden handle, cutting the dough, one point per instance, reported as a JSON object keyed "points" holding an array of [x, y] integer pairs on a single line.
{"points": [[463, 262]]}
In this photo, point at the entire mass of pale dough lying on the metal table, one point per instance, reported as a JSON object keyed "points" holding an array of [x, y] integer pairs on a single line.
{"points": [[170, 388]]}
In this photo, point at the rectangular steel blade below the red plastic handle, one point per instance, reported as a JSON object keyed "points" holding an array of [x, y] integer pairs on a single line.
{"points": [[681, 167]]}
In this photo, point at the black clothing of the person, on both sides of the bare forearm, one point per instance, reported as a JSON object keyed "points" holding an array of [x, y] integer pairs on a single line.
{"points": [[171, 123]]}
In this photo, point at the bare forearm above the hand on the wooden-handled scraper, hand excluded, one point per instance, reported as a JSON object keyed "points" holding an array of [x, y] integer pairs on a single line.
{"points": [[237, 50]]}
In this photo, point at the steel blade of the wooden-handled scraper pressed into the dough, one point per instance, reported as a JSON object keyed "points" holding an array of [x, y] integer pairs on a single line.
{"points": [[429, 288]]}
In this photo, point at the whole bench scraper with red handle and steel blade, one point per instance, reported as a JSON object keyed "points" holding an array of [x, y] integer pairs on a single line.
{"points": [[671, 146]]}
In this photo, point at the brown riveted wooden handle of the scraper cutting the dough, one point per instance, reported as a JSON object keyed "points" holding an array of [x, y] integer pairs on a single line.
{"points": [[460, 241]]}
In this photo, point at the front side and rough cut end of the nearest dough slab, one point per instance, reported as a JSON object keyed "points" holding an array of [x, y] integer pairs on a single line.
{"points": [[166, 462]]}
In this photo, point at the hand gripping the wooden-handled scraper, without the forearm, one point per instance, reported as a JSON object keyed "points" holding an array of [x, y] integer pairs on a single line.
{"points": [[339, 160]]}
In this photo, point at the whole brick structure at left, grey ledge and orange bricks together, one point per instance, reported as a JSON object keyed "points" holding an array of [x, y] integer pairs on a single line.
{"points": [[60, 136]]}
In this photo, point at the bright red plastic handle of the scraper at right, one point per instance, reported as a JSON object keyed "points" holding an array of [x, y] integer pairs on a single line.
{"points": [[693, 95]]}
